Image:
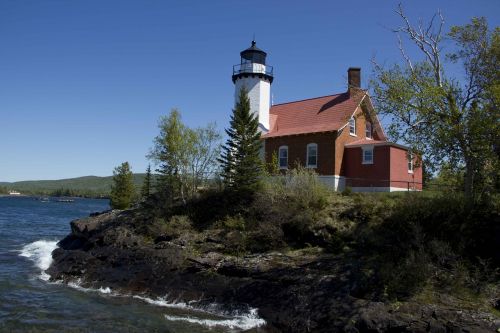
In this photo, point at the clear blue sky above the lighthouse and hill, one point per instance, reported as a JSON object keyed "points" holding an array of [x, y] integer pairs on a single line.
{"points": [[83, 83]]}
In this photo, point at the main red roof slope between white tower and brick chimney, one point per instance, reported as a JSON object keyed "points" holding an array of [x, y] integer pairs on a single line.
{"points": [[321, 114]]}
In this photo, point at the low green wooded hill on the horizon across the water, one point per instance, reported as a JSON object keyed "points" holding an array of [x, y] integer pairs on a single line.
{"points": [[84, 186]]}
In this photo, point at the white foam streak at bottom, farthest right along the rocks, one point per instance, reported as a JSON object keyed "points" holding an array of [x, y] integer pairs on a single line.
{"points": [[244, 322]]}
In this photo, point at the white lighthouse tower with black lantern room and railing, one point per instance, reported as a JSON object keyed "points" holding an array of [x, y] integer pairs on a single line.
{"points": [[253, 74]]}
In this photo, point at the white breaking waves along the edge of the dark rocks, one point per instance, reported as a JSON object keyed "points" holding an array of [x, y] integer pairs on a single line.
{"points": [[40, 252]]}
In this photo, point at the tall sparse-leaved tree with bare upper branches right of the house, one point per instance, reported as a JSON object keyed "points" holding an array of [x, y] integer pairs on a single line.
{"points": [[450, 120]]}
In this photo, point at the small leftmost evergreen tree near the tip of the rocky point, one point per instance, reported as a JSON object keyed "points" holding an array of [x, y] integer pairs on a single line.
{"points": [[122, 190]]}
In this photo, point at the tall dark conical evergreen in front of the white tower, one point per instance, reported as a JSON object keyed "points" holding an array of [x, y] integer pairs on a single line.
{"points": [[240, 160]]}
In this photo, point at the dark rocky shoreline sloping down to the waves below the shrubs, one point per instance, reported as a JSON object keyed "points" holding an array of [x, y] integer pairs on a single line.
{"points": [[293, 292]]}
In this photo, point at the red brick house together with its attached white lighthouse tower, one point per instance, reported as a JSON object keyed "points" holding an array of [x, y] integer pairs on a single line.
{"points": [[339, 136]]}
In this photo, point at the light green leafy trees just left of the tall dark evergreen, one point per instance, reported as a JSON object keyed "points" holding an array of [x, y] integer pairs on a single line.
{"points": [[186, 157]]}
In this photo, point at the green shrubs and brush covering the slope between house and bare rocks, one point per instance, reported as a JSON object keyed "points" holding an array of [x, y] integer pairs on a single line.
{"points": [[397, 244]]}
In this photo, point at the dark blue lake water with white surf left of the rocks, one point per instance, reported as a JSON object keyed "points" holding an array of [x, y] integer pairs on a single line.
{"points": [[29, 231]]}
